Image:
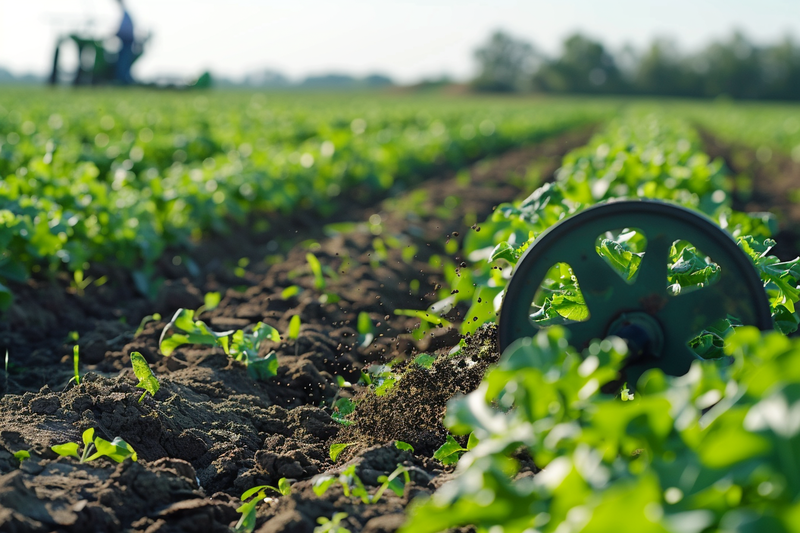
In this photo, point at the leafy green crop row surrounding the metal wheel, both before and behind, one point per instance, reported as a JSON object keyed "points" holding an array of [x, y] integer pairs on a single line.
{"points": [[714, 450]]}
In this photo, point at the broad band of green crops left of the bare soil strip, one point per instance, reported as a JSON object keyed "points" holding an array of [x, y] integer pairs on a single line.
{"points": [[89, 178]]}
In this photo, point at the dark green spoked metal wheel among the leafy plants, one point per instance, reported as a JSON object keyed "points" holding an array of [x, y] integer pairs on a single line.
{"points": [[656, 324]]}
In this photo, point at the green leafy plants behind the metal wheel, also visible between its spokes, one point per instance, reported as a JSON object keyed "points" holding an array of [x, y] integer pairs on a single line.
{"points": [[638, 155]]}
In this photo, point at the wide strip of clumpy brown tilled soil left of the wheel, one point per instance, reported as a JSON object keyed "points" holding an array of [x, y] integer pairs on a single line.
{"points": [[212, 432]]}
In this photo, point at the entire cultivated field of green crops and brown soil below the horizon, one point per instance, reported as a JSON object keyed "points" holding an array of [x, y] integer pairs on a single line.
{"points": [[267, 312]]}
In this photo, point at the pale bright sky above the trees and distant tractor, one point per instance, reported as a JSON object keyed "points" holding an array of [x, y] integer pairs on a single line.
{"points": [[408, 40]]}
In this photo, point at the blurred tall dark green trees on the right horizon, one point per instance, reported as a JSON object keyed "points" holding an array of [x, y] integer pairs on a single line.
{"points": [[734, 67]]}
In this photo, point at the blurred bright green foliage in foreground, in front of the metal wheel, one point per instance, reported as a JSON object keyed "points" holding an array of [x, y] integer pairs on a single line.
{"points": [[732, 427]]}
